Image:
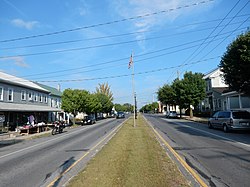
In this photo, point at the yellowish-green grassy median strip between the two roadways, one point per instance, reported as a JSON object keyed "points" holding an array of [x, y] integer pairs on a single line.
{"points": [[133, 157]]}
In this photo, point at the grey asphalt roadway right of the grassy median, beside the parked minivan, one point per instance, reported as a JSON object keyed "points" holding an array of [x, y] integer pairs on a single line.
{"points": [[221, 159]]}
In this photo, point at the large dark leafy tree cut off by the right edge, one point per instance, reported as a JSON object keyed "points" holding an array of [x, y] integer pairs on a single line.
{"points": [[235, 64]]}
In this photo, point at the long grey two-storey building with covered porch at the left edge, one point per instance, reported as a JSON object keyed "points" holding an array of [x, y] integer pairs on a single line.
{"points": [[23, 101]]}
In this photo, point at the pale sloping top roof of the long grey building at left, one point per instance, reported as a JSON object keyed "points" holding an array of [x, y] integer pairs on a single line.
{"points": [[10, 79]]}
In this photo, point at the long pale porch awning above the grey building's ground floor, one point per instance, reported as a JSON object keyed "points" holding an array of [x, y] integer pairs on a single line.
{"points": [[26, 107]]}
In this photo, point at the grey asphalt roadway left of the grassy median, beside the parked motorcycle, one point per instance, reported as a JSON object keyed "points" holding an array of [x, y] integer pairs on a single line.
{"points": [[39, 161]]}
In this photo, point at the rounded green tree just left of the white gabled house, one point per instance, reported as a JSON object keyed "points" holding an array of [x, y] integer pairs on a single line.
{"points": [[194, 89]]}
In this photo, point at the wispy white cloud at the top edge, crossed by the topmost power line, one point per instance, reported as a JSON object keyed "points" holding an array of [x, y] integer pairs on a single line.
{"points": [[133, 8]]}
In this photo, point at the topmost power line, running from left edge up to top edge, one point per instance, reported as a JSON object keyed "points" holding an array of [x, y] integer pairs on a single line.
{"points": [[107, 23]]}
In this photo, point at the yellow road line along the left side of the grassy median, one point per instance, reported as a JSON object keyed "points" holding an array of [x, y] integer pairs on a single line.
{"points": [[58, 177]]}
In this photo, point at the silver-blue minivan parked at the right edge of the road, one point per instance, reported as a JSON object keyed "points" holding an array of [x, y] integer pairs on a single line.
{"points": [[230, 120]]}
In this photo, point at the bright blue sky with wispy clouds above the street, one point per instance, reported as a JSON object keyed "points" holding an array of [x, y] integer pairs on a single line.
{"points": [[82, 43]]}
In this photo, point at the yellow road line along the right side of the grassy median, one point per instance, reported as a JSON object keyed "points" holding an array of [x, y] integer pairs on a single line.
{"points": [[178, 157]]}
